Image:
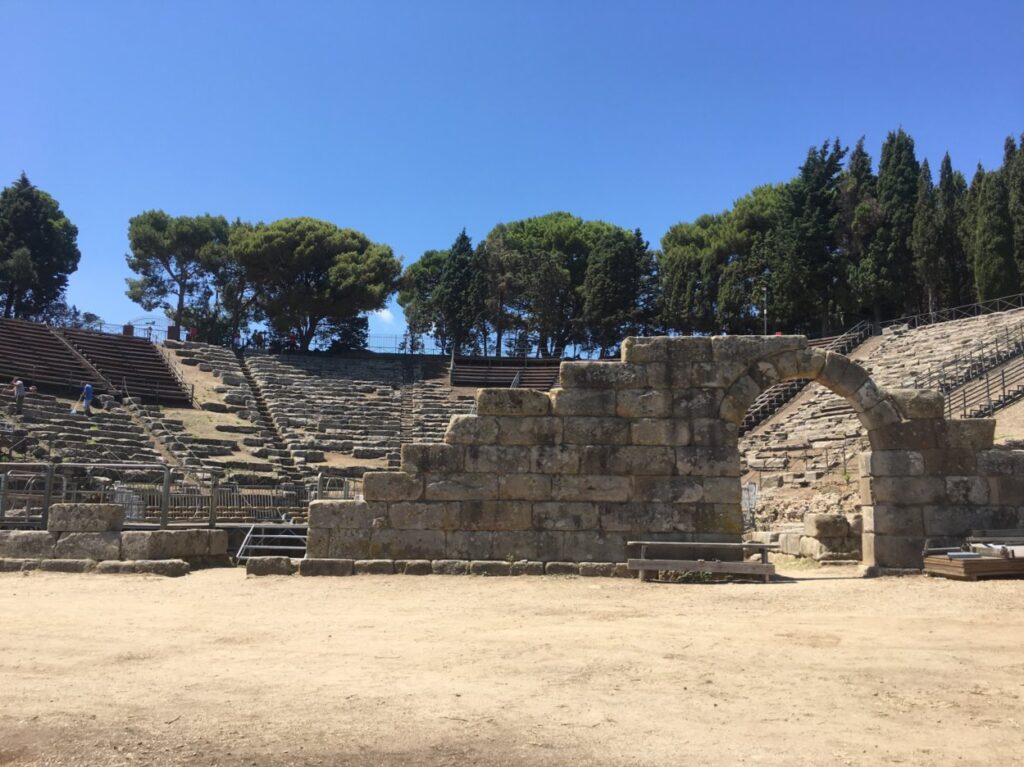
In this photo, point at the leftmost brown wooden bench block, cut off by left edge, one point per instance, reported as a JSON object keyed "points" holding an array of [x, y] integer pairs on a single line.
{"points": [[39, 358]]}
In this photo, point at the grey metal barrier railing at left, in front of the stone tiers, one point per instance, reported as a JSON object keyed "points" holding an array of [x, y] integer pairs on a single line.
{"points": [[152, 495]]}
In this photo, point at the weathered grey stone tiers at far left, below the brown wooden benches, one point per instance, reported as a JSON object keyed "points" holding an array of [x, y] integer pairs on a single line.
{"points": [[49, 430]]}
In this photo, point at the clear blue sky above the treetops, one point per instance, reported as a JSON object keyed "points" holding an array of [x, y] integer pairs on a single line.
{"points": [[409, 121]]}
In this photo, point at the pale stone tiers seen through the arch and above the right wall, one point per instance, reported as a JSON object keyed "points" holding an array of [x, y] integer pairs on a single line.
{"points": [[818, 438]]}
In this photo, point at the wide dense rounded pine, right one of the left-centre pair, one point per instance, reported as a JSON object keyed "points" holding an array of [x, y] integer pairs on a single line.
{"points": [[311, 274]]}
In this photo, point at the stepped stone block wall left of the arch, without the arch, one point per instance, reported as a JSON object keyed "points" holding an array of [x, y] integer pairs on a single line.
{"points": [[629, 450]]}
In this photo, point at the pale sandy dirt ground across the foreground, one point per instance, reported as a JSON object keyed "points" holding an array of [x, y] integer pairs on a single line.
{"points": [[824, 668]]}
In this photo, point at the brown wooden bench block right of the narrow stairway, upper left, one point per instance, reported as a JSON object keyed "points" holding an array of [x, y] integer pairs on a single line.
{"points": [[133, 364]]}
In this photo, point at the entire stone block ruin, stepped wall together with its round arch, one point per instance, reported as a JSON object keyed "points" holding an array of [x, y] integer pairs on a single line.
{"points": [[647, 448]]}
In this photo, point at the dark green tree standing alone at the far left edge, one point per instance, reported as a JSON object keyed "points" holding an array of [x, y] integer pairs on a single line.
{"points": [[38, 250]]}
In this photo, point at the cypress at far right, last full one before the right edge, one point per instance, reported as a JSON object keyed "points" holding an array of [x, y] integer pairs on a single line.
{"points": [[995, 269]]}
